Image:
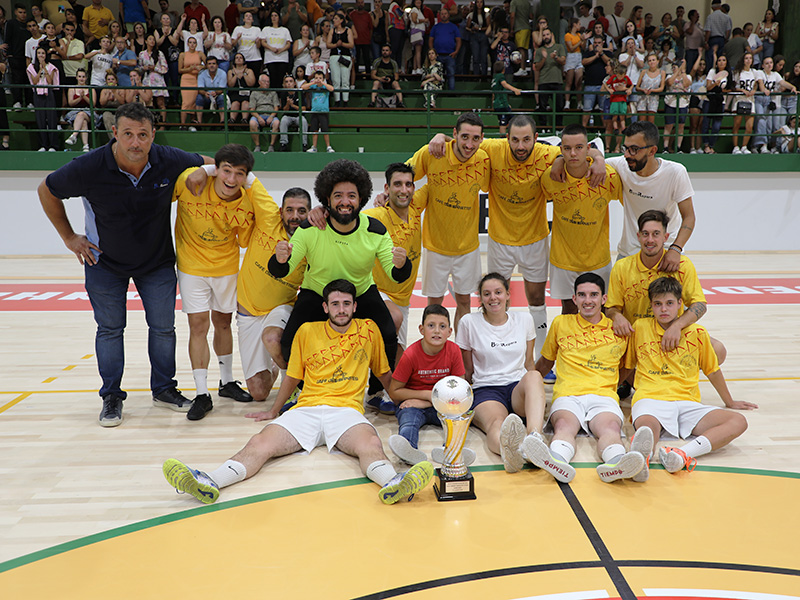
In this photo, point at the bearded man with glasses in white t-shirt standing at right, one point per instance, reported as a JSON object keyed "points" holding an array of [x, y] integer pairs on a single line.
{"points": [[651, 183]]}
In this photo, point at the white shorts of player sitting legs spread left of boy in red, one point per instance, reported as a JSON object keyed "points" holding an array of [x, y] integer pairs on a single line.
{"points": [[314, 426]]}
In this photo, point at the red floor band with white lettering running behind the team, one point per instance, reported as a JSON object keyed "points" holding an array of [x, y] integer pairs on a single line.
{"points": [[31, 297]]}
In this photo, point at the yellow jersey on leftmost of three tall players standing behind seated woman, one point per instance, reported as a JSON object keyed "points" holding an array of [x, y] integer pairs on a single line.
{"points": [[450, 226]]}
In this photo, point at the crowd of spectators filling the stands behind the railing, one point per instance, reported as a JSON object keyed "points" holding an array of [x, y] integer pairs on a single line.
{"points": [[694, 72]]}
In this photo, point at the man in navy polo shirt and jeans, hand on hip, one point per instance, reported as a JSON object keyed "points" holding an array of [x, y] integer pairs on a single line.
{"points": [[126, 187]]}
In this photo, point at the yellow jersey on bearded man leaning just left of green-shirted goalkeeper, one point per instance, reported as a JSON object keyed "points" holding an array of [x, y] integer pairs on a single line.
{"points": [[257, 291]]}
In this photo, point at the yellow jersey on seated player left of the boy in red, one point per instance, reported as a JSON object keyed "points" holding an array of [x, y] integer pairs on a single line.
{"points": [[335, 366]]}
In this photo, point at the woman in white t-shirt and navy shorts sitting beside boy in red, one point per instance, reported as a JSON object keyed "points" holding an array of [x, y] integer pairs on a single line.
{"points": [[497, 347]]}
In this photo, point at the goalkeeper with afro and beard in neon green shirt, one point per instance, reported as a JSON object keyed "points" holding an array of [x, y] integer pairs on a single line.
{"points": [[346, 248]]}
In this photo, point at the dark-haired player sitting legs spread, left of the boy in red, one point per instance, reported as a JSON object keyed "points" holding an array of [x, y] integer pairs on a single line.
{"points": [[333, 358]]}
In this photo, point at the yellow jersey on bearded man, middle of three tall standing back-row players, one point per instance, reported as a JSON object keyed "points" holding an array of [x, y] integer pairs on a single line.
{"points": [[517, 209]]}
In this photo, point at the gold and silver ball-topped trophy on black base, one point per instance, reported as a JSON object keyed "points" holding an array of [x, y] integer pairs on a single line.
{"points": [[452, 399]]}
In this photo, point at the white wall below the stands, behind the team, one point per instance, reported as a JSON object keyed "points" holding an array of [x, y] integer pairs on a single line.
{"points": [[735, 211]]}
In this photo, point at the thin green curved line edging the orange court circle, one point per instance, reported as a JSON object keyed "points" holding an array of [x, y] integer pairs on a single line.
{"points": [[207, 509]]}
